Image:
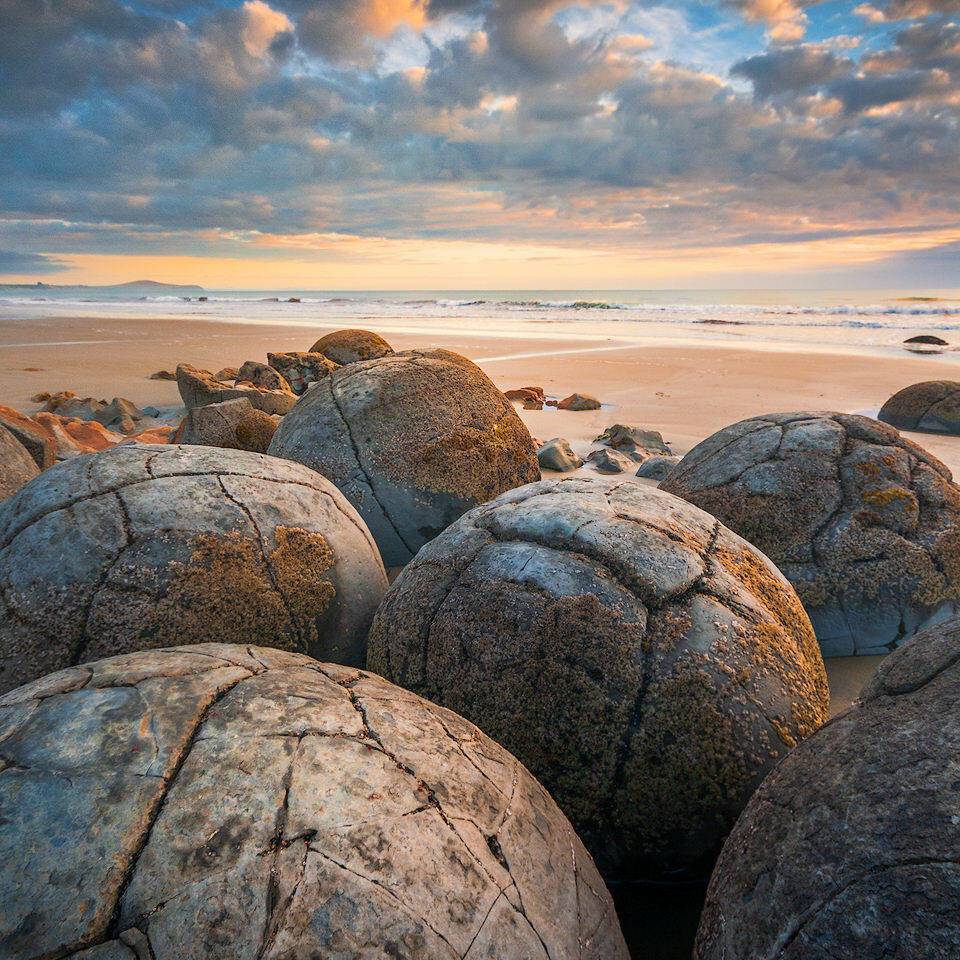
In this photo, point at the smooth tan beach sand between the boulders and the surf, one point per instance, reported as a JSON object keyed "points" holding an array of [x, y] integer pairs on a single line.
{"points": [[684, 390]]}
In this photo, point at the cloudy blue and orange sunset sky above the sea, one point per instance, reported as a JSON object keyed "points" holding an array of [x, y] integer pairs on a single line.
{"points": [[481, 144]]}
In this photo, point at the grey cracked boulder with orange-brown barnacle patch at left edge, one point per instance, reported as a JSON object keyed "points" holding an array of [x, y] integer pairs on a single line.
{"points": [[145, 546]]}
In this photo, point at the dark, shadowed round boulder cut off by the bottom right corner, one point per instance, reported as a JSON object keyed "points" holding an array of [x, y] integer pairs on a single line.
{"points": [[850, 847]]}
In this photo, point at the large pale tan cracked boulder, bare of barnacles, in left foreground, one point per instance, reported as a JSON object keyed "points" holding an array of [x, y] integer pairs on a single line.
{"points": [[213, 801]]}
